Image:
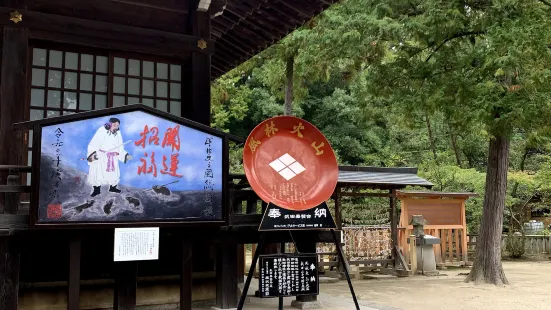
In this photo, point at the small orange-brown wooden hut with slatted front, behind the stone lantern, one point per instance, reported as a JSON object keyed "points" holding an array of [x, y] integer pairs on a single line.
{"points": [[445, 217]]}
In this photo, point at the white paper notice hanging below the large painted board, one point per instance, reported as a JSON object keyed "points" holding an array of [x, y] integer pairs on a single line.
{"points": [[133, 244]]}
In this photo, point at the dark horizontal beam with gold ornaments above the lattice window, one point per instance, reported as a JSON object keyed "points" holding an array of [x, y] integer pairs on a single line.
{"points": [[69, 29]]}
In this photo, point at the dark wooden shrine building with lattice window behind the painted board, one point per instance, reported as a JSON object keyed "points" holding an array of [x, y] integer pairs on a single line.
{"points": [[69, 56]]}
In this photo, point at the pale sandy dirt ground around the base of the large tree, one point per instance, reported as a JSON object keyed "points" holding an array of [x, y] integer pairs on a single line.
{"points": [[530, 289]]}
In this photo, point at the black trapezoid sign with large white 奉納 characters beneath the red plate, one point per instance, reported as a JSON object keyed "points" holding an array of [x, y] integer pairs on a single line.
{"points": [[277, 218]]}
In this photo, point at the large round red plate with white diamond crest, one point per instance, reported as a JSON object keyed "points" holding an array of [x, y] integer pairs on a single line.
{"points": [[290, 163]]}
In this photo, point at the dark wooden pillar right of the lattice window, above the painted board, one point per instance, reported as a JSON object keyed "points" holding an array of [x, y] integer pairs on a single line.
{"points": [[197, 70]]}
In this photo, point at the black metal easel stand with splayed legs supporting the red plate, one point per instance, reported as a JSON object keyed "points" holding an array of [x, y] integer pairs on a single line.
{"points": [[261, 247]]}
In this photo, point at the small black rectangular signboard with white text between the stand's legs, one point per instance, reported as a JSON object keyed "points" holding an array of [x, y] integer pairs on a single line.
{"points": [[283, 275]]}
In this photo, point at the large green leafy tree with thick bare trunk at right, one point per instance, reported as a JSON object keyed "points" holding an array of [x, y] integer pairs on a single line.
{"points": [[487, 60]]}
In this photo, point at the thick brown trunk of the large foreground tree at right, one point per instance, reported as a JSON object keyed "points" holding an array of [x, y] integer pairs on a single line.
{"points": [[487, 266]]}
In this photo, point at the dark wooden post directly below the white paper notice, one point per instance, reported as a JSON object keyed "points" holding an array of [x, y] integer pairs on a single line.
{"points": [[125, 286]]}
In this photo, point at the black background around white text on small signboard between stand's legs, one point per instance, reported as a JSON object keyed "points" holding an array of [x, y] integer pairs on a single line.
{"points": [[267, 291]]}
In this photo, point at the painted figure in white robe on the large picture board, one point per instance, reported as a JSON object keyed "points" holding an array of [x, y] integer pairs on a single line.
{"points": [[105, 151]]}
